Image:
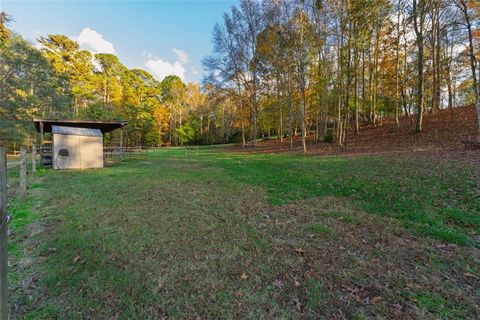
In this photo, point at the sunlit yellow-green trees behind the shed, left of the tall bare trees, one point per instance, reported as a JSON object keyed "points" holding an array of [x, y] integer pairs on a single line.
{"points": [[57, 79]]}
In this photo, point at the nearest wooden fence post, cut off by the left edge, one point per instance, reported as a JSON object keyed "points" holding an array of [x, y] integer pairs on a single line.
{"points": [[3, 235]]}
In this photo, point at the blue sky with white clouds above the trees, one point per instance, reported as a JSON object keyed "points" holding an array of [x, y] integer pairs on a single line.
{"points": [[161, 37]]}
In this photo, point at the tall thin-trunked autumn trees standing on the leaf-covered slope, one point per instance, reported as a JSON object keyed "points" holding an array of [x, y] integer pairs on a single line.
{"points": [[325, 67]]}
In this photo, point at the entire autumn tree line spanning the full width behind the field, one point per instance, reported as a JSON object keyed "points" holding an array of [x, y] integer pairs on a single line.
{"points": [[283, 68]]}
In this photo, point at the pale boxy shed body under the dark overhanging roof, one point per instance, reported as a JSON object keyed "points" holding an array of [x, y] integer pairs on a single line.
{"points": [[77, 148]]}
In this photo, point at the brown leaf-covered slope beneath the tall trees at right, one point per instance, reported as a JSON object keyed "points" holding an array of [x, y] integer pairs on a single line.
{"points": [[443, 134]]}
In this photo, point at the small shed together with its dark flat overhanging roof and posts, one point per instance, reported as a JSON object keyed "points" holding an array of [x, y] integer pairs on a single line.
{"points": [[75, 144]]}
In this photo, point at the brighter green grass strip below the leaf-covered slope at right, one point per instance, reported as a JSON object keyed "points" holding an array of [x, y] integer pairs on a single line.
{"points": [[439, 200]]}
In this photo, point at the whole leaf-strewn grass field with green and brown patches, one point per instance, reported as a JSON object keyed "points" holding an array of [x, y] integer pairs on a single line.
{"points": [[221, 235]]}
